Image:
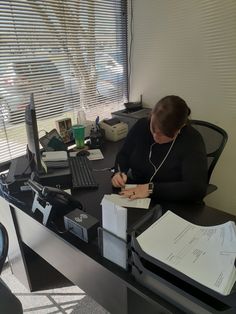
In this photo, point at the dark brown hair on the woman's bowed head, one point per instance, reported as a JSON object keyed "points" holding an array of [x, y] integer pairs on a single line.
{"points": [[170, 114]]}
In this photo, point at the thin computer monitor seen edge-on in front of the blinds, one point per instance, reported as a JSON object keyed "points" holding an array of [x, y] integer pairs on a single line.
{"points": [[33, 150]]}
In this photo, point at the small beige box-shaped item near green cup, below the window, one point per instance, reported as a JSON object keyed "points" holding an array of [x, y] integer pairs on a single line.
{"points": [[114, 129]]}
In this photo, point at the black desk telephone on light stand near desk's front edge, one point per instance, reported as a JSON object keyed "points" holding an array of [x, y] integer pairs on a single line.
{"points": [[52, 202]]}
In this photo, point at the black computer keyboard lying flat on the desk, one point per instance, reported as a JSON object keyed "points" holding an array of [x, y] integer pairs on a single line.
{"points": [[82, 176]]}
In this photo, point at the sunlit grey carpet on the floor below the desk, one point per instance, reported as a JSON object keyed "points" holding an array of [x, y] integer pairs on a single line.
{"points": [[66, 300]]}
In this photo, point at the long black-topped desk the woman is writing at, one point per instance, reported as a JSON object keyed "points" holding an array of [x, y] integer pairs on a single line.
{"points": [[108, 284]]}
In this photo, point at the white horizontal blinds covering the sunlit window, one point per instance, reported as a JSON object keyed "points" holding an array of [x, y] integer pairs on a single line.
{"points": [[70, 54]]}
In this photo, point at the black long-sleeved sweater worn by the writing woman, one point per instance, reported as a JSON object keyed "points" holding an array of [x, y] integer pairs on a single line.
{"points": [[183, 175]]}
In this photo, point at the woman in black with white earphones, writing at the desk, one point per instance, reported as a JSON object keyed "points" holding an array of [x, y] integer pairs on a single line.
{"points": [[164, 156]]}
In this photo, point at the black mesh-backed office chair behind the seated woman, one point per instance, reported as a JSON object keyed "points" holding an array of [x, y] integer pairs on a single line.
{"points": [[215, 139]]}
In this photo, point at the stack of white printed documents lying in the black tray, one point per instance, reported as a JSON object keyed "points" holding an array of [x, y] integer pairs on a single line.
{"points": [[205, 254]]}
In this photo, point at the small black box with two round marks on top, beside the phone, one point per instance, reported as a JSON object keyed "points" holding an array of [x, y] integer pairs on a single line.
{"points": [[81, 224]]}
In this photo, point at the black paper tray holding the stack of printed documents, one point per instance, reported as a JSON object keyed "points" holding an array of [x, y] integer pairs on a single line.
{"points": [[177, 288]]}
